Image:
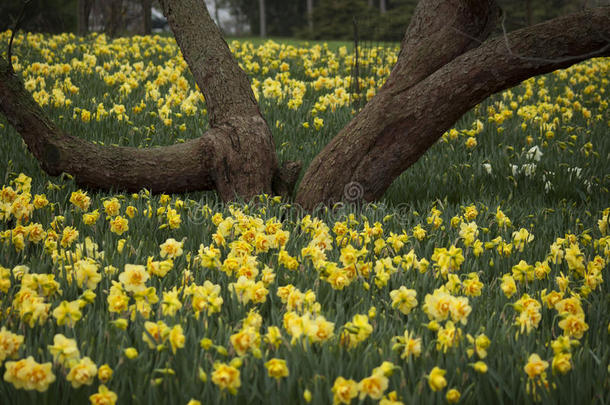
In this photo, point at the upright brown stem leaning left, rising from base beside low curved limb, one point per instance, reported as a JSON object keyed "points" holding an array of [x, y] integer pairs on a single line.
{"points": [[244, 160]]}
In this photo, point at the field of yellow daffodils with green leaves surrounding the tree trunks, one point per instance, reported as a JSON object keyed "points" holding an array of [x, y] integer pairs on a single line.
{"points": [[480, 278]]}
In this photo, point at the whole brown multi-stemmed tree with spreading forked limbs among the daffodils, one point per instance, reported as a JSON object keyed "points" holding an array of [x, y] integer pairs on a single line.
{"points": [[444, 69]]}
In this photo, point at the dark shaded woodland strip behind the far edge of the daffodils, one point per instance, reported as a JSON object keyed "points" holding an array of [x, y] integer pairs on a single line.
{"points": [[382, 20]]}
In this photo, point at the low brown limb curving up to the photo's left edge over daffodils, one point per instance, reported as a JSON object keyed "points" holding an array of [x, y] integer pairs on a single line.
{"points": [[105, 167]]}
